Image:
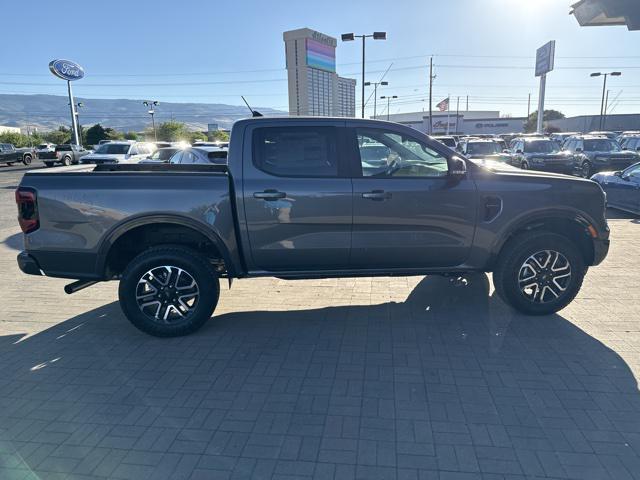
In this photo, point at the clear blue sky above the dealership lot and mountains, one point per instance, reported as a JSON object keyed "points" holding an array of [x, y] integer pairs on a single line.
{"points": [[214, 51]]}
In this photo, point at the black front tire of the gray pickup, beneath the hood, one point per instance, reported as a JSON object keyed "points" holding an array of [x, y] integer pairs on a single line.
{"points": [[509, 275]]}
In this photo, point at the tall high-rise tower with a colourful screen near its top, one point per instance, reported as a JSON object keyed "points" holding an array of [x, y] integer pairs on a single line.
{"points": [[315, 89]]}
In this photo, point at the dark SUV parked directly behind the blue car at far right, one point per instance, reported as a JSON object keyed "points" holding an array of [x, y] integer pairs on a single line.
{"points": [[592, 154]]}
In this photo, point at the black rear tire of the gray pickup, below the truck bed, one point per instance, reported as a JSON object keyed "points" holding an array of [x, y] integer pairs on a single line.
{"points": [[135, 283]]}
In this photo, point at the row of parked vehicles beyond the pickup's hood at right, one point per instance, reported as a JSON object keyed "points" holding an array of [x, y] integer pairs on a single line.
{"points": [[608, 158]]}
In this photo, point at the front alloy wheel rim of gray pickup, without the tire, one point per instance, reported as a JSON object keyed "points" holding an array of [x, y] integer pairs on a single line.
{"points": [[544, 276]]}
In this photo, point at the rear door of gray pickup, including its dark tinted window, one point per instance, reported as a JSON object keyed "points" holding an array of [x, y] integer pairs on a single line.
{"points": [[297, 196]]}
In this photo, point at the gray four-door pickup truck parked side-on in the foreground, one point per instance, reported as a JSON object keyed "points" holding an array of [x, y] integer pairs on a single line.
{"points": [[309, 198]]}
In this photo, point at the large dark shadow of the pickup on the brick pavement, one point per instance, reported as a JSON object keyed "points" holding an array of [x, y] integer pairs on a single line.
{"points": [[448, 380]]}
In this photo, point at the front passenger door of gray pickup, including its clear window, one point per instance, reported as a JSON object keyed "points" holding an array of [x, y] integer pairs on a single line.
{"points": [[407, 211]]}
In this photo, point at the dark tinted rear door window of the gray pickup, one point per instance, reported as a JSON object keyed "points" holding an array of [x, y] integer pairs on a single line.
{"points": [[296, 151]]}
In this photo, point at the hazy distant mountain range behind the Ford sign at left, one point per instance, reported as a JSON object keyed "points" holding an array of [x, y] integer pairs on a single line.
{"points": [[48, 112]]}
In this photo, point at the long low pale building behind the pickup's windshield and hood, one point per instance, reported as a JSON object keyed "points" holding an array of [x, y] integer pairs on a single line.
{"points": [[462, 123]]}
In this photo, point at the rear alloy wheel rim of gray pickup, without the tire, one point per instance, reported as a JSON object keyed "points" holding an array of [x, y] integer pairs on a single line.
{"points": [[167, 294]]}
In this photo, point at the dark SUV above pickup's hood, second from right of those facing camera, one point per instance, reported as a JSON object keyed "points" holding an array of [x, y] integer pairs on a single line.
{"points": [[540, 154]]}
